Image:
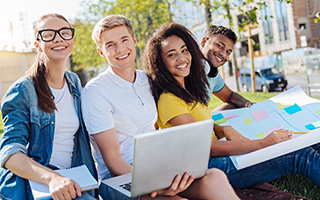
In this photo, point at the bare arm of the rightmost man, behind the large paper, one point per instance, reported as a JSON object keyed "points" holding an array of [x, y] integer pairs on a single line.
{"points": [[232, 98]]}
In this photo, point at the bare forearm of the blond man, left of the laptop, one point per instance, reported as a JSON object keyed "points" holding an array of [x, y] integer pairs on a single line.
{"points": [[108, 145]]}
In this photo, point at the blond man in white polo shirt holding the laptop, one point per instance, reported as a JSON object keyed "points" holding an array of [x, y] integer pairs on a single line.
{"points": [[118, 104]]}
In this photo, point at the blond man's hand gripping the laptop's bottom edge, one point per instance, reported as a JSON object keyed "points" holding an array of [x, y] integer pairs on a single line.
{"points": [[178, 185]]}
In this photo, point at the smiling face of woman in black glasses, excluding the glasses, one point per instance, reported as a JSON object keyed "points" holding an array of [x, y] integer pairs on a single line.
{"points": [[57, 49]]}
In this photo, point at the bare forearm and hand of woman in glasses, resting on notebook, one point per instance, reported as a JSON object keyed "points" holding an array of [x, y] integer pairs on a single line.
{"points": [[60, 187]]}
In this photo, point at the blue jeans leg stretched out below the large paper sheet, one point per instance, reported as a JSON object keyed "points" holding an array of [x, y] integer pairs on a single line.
{"points": [[305, 161]]}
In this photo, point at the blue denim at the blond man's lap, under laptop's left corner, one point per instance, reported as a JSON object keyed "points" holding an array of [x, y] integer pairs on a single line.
{"points": [[108, 193]]}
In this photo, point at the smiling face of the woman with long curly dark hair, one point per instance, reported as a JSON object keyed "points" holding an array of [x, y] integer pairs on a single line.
{"points": [[176, 57]]}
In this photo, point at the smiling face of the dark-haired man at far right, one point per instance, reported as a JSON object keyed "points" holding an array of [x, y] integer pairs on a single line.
{"points": [[217, 49]]}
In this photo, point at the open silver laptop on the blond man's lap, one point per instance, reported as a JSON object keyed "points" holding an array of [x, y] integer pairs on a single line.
{"points": [[160, 155]]}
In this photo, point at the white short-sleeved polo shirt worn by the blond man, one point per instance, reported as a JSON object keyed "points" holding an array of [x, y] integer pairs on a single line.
{"points": [[108, 101]]}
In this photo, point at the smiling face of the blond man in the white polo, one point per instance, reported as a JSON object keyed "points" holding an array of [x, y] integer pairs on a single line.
{"points": [[118, 47]]}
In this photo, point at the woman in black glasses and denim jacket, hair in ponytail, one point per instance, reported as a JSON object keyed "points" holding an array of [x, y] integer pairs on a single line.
{"points": [[43, 127]]}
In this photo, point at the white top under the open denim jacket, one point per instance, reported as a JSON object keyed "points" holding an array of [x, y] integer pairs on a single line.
{"points": [[66, 125]]}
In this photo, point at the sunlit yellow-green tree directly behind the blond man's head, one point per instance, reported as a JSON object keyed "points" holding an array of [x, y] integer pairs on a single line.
{"points": [[145, 16]]}
